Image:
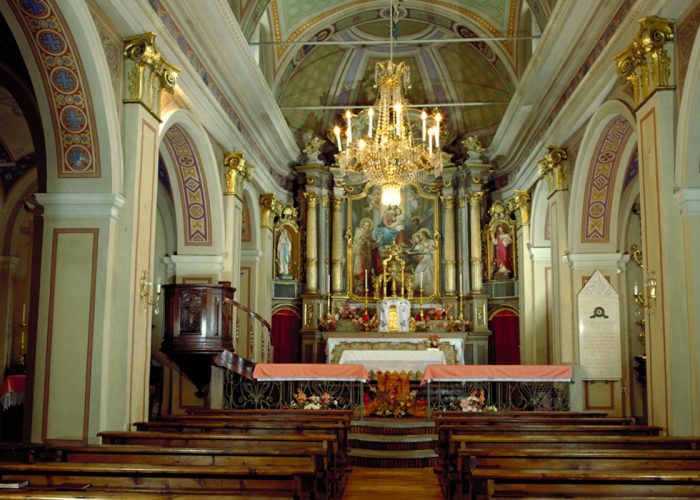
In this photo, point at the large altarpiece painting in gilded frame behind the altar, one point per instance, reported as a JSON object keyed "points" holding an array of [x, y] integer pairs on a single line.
{"points": [[420, 211]]}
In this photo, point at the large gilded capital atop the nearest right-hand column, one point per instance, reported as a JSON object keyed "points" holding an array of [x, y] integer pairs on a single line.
{"points": [[645, 63]]}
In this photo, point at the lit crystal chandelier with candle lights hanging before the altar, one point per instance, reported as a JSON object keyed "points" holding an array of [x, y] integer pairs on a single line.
{"points": [[389, 156]]}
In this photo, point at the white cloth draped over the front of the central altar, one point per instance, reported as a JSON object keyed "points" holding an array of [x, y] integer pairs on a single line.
{"points": [[393, 360]]}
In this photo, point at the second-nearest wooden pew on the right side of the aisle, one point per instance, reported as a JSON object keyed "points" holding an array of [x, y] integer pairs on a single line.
{"points": [[532, 458]]}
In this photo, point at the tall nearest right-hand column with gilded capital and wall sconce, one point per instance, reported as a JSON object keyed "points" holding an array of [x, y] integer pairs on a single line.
{"points": [[668, 258]]}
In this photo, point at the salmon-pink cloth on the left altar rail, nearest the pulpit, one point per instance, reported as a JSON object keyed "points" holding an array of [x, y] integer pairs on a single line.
{"points": [[309, 371]]}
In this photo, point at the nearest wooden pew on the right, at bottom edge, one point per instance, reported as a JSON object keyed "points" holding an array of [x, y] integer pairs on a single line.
{"points": [[554, 483]]}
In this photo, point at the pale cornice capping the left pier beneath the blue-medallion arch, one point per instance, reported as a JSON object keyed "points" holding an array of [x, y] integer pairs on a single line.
{"points": [[80, 205]]}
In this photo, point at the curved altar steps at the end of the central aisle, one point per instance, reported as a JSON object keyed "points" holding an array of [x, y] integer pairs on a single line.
{"points": [[393, 443]]}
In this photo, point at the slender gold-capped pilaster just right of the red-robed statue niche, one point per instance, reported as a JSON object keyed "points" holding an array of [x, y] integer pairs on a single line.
{"points": [[520, 205]]}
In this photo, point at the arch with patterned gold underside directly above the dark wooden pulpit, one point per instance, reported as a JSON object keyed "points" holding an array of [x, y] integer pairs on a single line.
{"points": [[191, 163]]}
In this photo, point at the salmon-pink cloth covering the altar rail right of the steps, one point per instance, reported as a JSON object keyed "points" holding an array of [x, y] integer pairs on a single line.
{"points": [[497, 373]]}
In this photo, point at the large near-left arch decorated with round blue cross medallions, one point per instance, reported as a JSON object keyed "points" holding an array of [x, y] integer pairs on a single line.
{"points": [[70, 76]]}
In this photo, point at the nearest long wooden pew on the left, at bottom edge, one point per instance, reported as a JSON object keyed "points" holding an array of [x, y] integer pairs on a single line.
{"points": [[285, 481]]}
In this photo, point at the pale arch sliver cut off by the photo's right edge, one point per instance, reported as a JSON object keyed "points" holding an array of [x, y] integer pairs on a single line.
{"points": [[687, 145]]}
